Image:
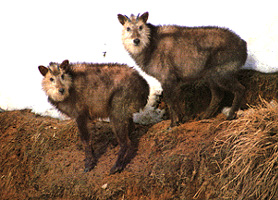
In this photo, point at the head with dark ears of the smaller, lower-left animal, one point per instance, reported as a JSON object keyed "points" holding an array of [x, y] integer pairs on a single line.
{"points": [[57, 80]]}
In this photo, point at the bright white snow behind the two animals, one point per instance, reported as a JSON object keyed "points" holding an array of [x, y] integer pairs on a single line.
{"points": [[34, 33]]}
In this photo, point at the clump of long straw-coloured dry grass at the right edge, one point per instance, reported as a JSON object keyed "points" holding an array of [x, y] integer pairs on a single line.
{"points": [[249, 150]]}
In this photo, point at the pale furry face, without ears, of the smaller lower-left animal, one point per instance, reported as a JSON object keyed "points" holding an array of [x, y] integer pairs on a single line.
{"points": [[56, 83]]}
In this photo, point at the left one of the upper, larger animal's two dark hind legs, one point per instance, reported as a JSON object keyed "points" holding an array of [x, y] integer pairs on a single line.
{"points": [[216, 97]]}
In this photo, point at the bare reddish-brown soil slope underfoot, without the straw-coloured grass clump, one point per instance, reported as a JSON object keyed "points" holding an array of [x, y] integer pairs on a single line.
{"points": [[42, 158]]}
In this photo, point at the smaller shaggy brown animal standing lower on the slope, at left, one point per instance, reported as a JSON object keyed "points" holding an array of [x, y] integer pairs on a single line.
{"points": [[88, 91]]}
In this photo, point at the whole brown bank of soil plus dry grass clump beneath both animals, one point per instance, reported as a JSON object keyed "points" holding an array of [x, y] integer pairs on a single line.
{"points": [[42, 158]]}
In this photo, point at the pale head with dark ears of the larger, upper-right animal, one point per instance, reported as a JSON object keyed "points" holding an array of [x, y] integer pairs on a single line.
{"points": [[136, 33]]}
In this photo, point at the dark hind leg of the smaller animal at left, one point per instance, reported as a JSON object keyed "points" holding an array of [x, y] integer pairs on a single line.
{"points": [[122, 127]]}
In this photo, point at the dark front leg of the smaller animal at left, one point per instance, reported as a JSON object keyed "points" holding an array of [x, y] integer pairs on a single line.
{"points": [[90, 158]]}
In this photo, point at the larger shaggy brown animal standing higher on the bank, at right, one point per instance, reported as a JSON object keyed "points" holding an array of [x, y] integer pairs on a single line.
{"points": [[178, 55]]}
